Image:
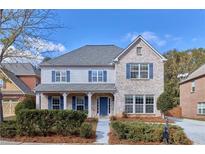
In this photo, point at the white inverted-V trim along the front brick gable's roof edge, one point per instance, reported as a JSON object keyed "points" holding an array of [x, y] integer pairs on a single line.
{"points": [[140, 37]]}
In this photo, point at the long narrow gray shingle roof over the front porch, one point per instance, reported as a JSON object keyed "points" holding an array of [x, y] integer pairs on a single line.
{"points": [[75, 87]]}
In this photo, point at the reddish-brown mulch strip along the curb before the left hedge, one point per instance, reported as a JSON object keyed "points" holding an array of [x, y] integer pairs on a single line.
{"points": [[52, 139]]}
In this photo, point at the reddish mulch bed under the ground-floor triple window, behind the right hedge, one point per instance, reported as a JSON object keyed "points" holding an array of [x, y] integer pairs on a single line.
{"points": [[145, 119]]}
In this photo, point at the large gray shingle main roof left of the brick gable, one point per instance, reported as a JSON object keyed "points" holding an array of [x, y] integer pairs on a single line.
{"points": [[92, 55]]}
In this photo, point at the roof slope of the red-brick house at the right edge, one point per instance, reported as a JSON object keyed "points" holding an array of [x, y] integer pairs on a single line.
{"points": [[197, 73]]}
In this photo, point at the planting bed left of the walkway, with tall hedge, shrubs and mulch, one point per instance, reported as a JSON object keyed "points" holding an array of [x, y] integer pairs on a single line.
{"points": [[50, 126]]}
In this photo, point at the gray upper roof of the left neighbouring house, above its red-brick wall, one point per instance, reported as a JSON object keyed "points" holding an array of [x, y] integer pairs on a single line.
{"points": [[21, 68]]}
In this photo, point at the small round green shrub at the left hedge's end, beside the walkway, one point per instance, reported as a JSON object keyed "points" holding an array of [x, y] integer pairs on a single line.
{"points": [[86, 130]]}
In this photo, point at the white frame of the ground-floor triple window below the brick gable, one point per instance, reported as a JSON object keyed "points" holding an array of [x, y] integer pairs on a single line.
{"points": [[144, 103]]}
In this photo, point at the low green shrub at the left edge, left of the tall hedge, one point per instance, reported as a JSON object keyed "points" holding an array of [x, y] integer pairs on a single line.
{"points": [[8, 129]]}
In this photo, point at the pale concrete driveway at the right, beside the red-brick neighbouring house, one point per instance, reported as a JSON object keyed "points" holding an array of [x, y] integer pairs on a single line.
{"points": [[194, 129]]}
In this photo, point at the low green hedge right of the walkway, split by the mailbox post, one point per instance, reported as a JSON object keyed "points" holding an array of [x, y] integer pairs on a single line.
{"points": [[139, 131]]}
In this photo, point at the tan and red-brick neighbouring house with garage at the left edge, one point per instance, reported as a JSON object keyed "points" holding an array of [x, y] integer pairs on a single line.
{"points": [[17, 80]]}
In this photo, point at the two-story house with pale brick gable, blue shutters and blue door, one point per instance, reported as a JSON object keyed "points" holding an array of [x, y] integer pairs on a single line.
{"points": [[104, 80]]}
